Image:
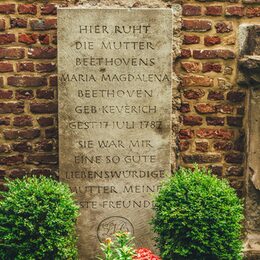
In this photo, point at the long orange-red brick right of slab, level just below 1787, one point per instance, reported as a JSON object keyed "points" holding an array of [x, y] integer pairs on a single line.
{"points": [[209, 133]]}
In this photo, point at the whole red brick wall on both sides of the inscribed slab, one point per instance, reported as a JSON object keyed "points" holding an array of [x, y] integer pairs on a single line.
{"points": [[213, 106]]}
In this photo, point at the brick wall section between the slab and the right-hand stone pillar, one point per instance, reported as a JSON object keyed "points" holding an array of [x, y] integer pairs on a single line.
{"points": [[213, 106]]}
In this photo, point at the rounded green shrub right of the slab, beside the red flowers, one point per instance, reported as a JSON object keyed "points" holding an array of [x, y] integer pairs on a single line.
{"points": [[198, 216]]}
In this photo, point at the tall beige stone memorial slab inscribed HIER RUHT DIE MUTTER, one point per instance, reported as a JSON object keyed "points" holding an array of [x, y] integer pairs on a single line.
{"points": [[115, 96]]}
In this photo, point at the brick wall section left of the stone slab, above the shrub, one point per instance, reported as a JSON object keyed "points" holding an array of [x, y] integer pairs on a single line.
{"points": [[28, 93]]}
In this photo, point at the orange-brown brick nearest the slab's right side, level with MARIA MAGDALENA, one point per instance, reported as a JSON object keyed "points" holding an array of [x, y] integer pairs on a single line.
{"points": [[196, 81]]}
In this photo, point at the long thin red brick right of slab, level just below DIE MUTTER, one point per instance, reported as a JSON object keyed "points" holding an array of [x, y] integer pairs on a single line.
{"points": [[213, 54]]}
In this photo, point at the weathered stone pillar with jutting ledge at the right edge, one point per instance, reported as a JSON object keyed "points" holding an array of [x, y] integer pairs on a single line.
{"points": [[249, 69]]}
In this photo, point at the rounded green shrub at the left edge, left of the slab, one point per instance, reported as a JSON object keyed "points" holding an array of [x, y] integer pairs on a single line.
{"points": [[37, 220]]}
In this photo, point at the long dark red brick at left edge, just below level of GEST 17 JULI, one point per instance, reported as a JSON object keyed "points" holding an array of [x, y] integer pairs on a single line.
{"points": [[12, 134]]}
